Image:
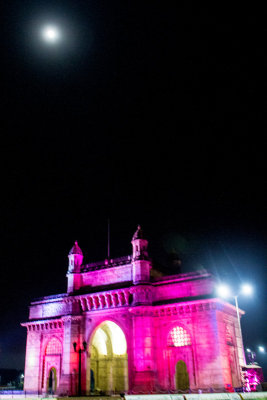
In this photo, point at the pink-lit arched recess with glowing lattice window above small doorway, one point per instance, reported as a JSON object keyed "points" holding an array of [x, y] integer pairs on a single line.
{"points": [[180, 359]]}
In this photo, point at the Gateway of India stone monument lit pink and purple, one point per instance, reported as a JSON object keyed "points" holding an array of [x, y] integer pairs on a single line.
{"points": [[124, 327]]}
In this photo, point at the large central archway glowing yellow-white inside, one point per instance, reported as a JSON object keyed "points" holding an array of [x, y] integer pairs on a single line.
{"points": [[108, 360]]}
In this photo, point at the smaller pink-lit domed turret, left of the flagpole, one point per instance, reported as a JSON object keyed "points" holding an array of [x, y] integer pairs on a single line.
{"points": [[75, 262]]}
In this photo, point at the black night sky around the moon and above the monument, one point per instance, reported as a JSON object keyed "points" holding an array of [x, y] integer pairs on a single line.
{"points": [[150, 112]]}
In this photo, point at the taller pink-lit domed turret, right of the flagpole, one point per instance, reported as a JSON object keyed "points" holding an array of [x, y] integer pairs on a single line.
{"points": [[140, 260]]}
